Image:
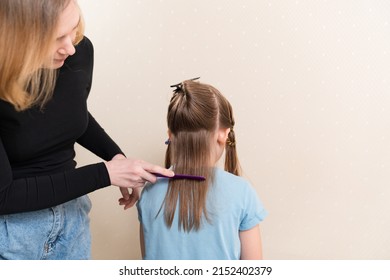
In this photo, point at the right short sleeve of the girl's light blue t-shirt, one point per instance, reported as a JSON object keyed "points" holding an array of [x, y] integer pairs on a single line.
{"points": [[254, 211]]}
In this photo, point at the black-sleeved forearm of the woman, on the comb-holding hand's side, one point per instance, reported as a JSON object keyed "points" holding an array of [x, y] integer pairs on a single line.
{"points": [[35, 193]]}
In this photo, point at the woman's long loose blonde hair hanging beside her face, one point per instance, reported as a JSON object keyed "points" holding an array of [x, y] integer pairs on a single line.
{"points": [[27, 31]]}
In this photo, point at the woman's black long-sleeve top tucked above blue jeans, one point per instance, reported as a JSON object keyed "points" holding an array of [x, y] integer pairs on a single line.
{"points": [[37, 166]]}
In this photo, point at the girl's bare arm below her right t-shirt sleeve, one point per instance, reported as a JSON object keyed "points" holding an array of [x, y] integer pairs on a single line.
{"points": [[251, 248]]}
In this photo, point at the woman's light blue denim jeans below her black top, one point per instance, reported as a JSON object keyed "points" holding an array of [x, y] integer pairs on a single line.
{"points": [[57, 233]]}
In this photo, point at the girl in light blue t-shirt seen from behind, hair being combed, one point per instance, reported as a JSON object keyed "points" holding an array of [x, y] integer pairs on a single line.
{"points": [[217, 218]]}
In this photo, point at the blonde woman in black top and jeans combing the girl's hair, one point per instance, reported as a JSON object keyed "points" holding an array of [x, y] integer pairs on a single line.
{"points": [[45, 77]]}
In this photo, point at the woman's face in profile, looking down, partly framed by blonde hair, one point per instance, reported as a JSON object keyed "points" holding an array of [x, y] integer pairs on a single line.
{"points": [[65, 35]]}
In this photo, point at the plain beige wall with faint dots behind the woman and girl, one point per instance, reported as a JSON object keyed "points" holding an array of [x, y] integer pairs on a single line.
{"points": [[309, 82]]}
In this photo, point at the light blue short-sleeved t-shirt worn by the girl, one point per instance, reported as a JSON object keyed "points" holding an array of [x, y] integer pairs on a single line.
{"points": [[233, 206]]}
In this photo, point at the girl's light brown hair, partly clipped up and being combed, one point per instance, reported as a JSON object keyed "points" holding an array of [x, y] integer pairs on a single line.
{"points": [[195, 113]]}
